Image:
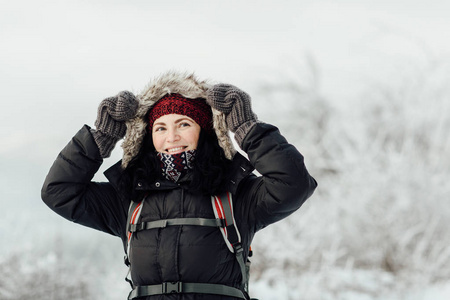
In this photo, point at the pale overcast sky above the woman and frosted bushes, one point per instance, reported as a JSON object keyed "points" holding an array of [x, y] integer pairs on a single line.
{"points": [[59, 59]]}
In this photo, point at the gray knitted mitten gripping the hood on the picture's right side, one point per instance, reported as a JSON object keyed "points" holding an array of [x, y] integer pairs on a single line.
{"points": [[236, 105]]}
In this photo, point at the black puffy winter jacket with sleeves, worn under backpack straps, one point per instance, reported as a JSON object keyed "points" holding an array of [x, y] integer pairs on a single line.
{"points": [[182, 253]]}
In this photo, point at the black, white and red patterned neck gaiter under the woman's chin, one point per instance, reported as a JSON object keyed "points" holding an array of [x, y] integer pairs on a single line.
{"points": [[176, 165]]}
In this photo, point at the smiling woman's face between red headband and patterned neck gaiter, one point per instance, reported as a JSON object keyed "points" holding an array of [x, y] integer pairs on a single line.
{"points": [[175, 133]]}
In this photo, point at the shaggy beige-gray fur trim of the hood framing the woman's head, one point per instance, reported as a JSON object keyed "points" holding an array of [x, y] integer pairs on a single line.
{"points": [[168, 83]]}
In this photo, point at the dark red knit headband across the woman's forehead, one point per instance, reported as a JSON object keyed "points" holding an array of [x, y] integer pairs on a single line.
{"points": [[196, 109]]}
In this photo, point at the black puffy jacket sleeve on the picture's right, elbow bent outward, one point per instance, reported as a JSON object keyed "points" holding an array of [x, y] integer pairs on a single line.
{"points": [[285, 183]]}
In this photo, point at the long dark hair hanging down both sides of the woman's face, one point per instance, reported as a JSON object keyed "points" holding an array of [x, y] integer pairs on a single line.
{"points": [[209, 171]]}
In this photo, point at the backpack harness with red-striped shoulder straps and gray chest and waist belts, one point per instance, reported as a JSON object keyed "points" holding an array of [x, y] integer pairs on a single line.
{"points": [[223, 210]]}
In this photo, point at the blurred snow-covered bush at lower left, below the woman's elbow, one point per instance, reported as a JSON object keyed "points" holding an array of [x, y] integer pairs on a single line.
{"points": [[70, 262]]}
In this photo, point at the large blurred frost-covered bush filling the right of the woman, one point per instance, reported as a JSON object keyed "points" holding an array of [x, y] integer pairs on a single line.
{"points": [[382, 201]]}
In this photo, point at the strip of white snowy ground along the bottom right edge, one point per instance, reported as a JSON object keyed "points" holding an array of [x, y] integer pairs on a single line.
{"points": [[348, 285]]}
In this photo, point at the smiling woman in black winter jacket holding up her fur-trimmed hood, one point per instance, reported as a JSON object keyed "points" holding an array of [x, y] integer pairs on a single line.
{"points": [[177, 155]]}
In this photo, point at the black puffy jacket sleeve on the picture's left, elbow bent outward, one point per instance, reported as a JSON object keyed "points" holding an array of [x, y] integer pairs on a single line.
{"points": [[69, 191]]}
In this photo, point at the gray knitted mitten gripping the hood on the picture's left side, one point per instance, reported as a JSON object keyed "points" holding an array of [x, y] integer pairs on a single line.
{"points": [[111, 116]]}
